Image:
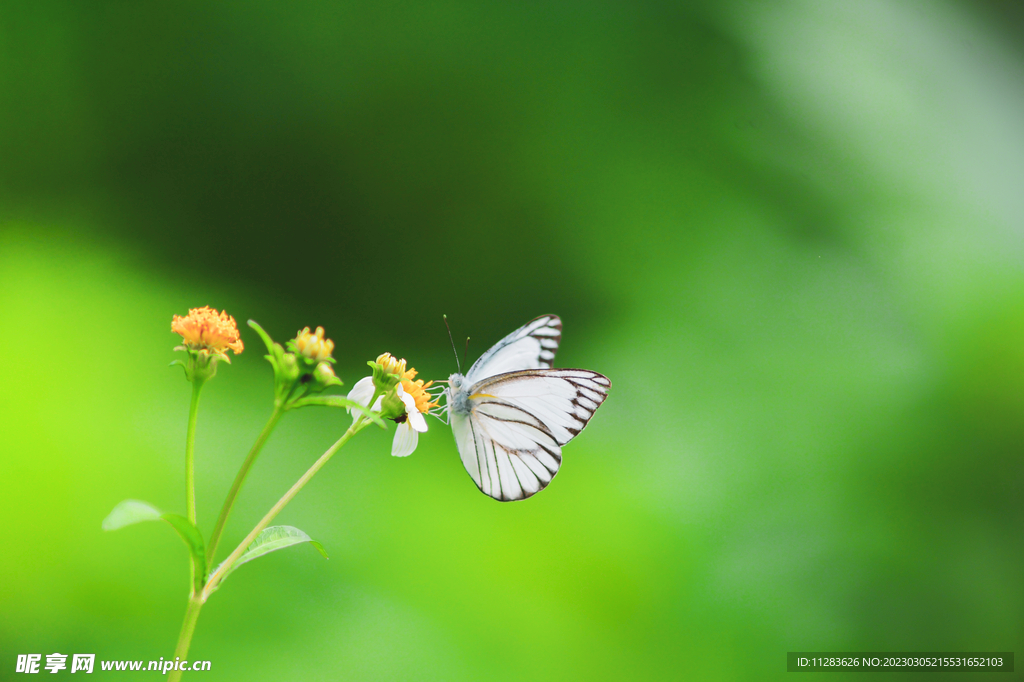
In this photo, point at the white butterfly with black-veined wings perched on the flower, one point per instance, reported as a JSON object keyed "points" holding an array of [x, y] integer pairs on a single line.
{"points": [[513, 413]]}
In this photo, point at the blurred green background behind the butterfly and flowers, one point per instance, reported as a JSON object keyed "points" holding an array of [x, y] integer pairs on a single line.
{"points": [[790, 233]]}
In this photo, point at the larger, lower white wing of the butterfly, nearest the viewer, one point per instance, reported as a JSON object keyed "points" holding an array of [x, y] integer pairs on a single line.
{"points": [[510, 442]]}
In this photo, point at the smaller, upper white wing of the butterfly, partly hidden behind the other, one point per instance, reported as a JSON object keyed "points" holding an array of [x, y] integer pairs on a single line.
{"points": [[533, 347]]}
